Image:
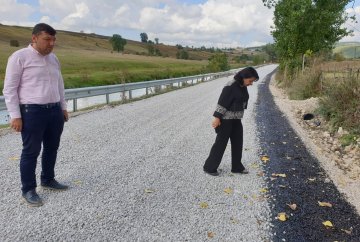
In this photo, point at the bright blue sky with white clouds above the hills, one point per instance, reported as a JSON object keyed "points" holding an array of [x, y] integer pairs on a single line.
{"points": [[210, 23]]}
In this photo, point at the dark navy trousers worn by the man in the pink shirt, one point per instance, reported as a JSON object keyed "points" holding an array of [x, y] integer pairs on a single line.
{"points": [[41, 126]]}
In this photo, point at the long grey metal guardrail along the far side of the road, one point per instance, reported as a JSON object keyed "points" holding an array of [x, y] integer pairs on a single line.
{"points": [[77, 93]]}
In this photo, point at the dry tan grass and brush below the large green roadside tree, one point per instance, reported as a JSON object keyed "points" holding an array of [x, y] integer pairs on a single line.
{"points": [[337, 84]]}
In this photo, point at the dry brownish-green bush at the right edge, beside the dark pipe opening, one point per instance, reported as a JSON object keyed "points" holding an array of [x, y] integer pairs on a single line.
{"points": [[340, 104]]}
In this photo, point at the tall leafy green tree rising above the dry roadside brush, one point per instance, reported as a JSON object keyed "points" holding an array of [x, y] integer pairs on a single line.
{"points": [[306, 25]]}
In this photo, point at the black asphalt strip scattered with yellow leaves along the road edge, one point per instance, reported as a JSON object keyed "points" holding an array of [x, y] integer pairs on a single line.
{"points": [[306, 183]]}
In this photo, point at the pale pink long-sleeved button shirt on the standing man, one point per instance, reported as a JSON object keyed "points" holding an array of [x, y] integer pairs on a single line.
{"points": [[32, 78]]}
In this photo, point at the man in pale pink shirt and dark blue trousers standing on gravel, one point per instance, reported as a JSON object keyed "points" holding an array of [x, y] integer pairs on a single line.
{"points": [[34, 96]]}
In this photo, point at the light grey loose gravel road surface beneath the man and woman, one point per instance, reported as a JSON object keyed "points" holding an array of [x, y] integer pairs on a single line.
{"points": [[135, 173]]}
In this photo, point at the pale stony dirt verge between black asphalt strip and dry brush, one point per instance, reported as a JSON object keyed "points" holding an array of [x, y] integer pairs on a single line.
{"points": [[341, 163]]}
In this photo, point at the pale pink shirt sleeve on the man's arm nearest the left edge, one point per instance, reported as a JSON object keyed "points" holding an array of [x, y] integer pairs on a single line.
{"points": [[14, 70]]}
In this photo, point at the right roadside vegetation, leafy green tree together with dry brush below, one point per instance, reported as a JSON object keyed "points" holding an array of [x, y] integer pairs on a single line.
{"points": [[311, 66]]}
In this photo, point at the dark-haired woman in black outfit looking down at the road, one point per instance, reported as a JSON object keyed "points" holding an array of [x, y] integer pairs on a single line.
{"points": [[227, 122]]}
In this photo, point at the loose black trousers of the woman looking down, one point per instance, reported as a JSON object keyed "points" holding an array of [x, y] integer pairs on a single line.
{"points": [[229, 129]]}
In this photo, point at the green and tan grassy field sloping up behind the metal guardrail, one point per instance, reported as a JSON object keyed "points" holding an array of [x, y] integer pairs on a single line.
{"points": [[87, 60]]}
